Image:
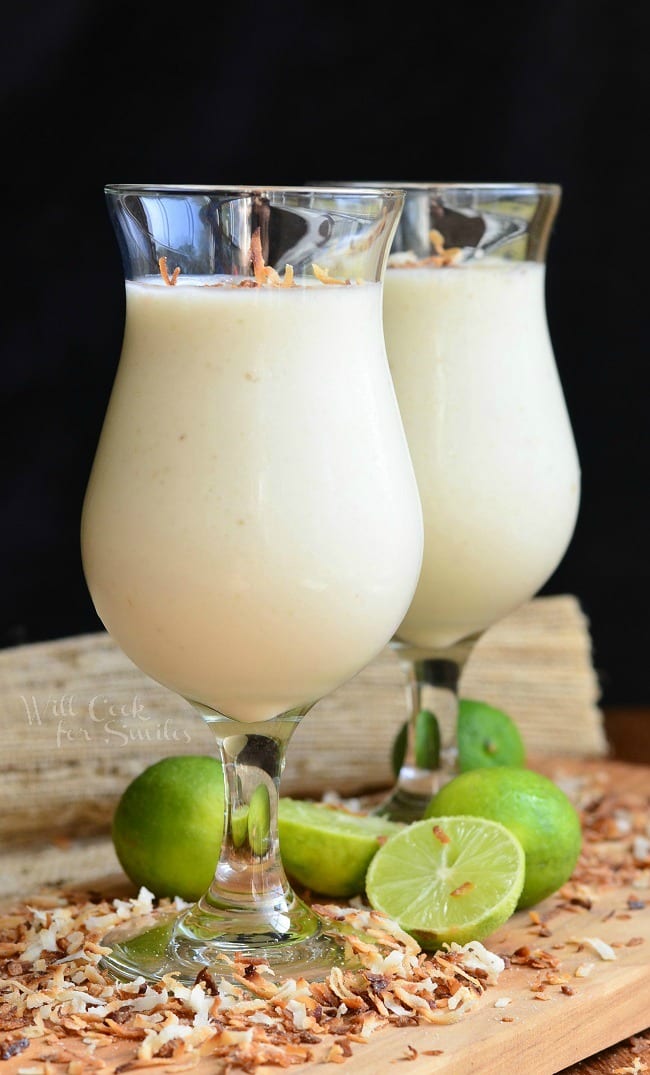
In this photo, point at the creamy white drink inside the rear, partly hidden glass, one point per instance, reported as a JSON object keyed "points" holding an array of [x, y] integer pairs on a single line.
{"points": [[490, 439]]}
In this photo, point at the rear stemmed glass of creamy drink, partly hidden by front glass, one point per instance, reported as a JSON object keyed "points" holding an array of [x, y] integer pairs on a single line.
{"points": [[487, 425]]}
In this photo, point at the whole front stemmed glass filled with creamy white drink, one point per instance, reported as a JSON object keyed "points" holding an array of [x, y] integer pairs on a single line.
{"points": [[252, 531]]}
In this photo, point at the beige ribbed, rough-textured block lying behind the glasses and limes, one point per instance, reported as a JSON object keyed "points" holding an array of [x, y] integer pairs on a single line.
{"points": [[80, 721]]}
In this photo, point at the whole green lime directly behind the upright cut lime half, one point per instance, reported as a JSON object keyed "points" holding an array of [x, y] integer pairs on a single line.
{"points": [[533, 808]]}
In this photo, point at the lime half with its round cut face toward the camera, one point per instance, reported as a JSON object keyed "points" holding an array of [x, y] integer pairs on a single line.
{"points": [[449, 879]]}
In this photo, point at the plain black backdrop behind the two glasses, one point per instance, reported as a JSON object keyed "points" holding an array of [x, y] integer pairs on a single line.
{"points": [[293, 93]]}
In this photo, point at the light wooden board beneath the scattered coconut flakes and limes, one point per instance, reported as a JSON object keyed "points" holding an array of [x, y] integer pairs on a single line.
{"points": [[542, 1029]]}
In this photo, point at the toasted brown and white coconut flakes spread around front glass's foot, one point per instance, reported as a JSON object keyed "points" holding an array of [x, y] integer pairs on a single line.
{"points": [[60, 995]]}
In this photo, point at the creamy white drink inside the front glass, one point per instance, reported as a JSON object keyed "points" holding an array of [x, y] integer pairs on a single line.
{"points": [[252, 534]]}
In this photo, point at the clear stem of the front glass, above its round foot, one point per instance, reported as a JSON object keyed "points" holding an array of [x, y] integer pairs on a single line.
{"points": [[251, 904]]}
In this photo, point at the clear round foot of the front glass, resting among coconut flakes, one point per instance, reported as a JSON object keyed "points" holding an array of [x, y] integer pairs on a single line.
{"points": [[174, 943]]}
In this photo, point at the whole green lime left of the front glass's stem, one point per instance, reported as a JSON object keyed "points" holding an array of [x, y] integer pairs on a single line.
{"points": [[168, 826]]}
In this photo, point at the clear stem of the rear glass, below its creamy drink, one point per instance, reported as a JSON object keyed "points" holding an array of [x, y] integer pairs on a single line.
{"points": [[432, 680]]}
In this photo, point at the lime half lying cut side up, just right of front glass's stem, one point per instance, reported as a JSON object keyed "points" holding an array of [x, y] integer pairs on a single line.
{"points": [[328, 849]]}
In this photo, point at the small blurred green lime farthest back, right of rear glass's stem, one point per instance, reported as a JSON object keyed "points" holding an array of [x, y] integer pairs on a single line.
{"points": [[487, 737]]}
